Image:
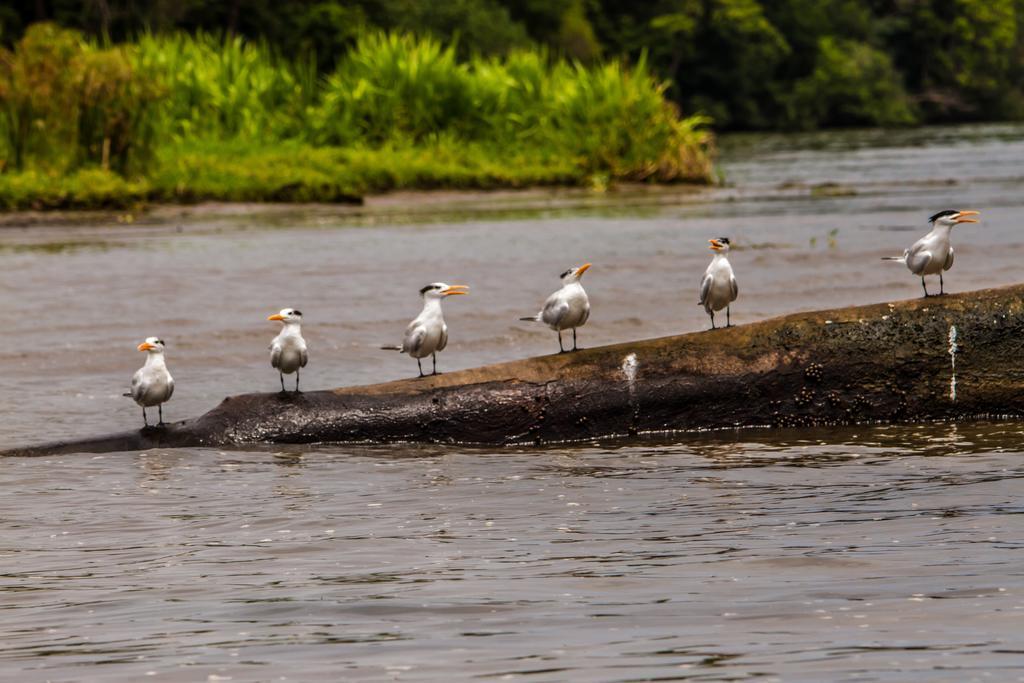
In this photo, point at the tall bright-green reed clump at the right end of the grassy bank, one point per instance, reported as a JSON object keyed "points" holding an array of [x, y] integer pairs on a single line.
{"points": [[609, 119]]}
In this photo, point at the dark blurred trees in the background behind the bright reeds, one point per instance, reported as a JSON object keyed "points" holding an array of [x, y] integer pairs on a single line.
{"points": [[748, 64]]}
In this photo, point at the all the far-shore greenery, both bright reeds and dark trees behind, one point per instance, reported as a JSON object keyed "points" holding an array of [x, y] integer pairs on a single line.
{"points": [[111, 102]]}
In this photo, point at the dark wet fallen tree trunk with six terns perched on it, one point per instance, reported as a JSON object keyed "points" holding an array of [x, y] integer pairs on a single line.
{"points": [[957, 357]]}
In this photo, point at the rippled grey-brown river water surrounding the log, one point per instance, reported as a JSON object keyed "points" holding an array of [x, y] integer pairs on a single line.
{"points": [[859, 554]]}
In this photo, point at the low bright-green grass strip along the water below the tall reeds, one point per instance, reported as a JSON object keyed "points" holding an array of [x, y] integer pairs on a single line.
{"points": [[293, 173]]}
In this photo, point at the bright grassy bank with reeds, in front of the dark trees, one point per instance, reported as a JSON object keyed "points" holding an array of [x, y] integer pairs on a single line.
{"points": [[180, 117]]}
